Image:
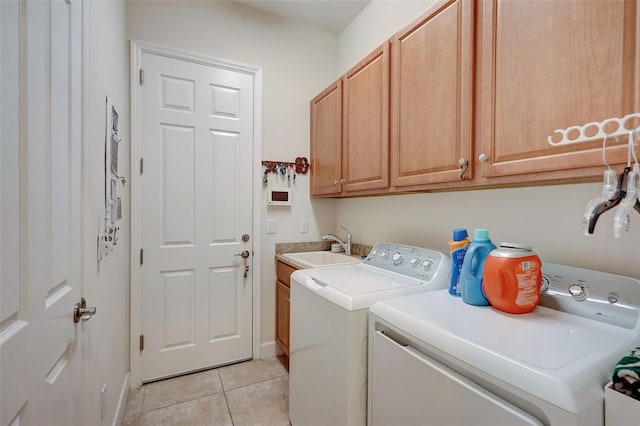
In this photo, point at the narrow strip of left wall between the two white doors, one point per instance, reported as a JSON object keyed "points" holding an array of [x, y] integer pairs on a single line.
{"points": [[106, 285]]}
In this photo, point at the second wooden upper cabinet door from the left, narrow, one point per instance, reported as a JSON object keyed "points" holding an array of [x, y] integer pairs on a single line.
{"points": [[366, 123]]}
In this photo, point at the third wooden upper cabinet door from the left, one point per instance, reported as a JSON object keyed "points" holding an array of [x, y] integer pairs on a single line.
{"points": [[431, 95]]}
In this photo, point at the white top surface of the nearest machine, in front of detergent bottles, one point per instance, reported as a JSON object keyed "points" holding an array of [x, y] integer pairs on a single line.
{"points": [[558, 357]]}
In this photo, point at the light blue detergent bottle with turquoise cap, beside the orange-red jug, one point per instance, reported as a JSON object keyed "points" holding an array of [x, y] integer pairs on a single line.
{"points": [[472, 267]]}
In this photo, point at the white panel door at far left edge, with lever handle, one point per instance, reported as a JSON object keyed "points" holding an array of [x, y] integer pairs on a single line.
{"points": [[40, 240]]}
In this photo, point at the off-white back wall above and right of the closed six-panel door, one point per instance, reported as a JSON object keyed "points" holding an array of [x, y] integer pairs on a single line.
{"points": [[297, 61]]}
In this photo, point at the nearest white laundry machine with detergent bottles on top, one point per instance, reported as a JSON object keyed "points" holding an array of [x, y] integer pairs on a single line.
{"points": [[437, 361]]}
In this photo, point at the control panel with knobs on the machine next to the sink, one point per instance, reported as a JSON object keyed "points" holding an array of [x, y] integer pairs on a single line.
{"points": [[415, 262]]}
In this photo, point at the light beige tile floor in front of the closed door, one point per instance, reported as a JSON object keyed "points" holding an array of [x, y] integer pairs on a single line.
{"points": [[250, 393]]}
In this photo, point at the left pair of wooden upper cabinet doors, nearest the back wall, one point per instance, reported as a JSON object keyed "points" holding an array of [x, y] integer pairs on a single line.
{"points": [[350, 130]]}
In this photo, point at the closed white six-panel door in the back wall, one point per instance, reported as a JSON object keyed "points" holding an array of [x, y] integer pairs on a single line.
{"points": [[197, 141]]}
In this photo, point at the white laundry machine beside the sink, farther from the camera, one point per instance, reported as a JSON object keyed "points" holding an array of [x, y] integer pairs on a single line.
{"points": [[328, 340]]}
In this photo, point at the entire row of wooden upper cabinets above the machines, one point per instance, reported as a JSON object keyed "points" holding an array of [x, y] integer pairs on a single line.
{"points": [[486, 82]]}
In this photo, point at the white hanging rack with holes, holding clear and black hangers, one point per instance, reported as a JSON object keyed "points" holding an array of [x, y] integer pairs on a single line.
{"points": [[623, 195]]}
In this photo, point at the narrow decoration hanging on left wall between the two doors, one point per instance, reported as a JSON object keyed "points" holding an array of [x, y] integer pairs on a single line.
{"points": [[108, 239]]}
